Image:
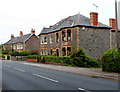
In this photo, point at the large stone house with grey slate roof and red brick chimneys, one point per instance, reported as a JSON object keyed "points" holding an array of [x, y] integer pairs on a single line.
{"points": [[77, 31]]}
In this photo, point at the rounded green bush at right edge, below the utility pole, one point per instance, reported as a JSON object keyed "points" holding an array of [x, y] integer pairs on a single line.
{"points": [[111, 60]]}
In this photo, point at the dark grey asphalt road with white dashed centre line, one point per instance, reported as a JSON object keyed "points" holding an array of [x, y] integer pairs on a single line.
{"points": [[16, 76]]}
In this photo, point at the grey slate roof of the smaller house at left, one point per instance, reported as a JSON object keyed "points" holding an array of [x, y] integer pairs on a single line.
{"points": [[18, 39]]}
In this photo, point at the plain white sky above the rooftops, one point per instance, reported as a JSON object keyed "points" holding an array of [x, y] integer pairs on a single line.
{"points": [[22, 15]]}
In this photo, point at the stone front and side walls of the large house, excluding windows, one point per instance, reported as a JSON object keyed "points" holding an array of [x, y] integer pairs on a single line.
{"points": [[95, 41]]}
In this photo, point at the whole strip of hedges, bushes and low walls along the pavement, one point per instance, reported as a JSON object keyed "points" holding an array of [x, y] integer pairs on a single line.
{"points": [[110, 60]]}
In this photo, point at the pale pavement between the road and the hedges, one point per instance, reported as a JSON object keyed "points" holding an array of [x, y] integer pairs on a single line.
{"points": [[92, 72]]}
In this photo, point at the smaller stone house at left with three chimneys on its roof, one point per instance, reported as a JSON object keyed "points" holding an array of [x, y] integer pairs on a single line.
{"points": [[23, 42]]}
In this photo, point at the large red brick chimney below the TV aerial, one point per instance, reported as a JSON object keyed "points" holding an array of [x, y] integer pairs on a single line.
{"points": [[94, 18]]}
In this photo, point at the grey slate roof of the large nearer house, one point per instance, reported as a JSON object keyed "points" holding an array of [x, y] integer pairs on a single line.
{"points": [[70, 21]]}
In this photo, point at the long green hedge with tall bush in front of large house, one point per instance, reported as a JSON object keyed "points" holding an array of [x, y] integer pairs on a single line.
{"points": [[78, 59]]}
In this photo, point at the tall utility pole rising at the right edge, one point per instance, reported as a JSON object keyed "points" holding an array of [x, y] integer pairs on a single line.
{"points": [[116, 17]]}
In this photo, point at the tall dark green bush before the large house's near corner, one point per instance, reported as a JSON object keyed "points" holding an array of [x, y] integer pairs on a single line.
{"points": [[80, 59]]}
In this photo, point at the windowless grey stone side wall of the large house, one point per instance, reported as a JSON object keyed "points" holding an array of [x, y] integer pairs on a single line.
{"points": [[95, 41]]}
